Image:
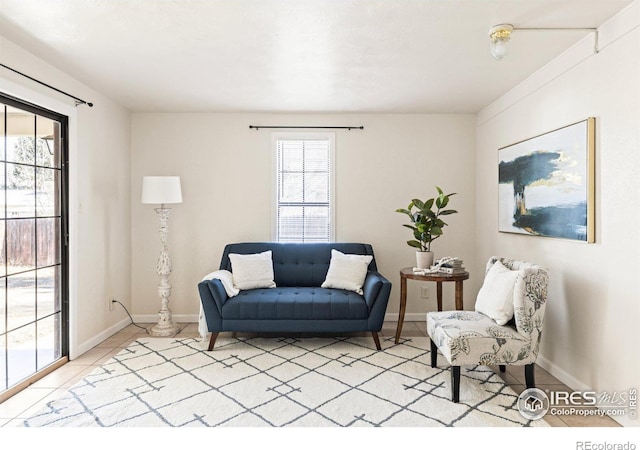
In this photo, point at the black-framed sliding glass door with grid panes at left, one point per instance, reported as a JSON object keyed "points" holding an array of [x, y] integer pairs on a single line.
{"points": [[33, 256]]}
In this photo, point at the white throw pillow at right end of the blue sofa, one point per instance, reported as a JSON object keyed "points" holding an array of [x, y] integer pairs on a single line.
{"points": [[347, 271]]}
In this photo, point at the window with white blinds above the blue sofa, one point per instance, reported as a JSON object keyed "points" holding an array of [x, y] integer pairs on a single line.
{"points": [[304, 187]]}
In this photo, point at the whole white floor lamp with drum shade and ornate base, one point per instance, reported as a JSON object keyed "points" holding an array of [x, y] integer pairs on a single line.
{"points": [[162, 191]]}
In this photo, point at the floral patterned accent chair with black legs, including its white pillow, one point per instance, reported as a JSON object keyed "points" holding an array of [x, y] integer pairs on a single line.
{"points": [[505, 328]]}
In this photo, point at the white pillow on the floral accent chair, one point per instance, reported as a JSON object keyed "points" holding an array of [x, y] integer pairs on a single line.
{"points": [[495, 298]]}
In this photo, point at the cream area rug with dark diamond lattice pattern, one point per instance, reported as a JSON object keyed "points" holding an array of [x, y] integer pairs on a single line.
{"points": [[281, 382]]}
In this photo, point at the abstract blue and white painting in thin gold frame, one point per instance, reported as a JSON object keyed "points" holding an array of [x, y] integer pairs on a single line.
{"points": [[546, 184]]}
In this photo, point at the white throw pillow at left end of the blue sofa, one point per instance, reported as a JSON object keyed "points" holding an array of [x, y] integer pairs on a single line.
{"points": [[252, 271]]}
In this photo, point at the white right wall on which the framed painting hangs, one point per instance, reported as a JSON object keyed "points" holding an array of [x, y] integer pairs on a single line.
{"points": [[590, 338]]}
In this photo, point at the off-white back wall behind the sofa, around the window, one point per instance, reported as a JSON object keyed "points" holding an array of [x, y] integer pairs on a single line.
{"points": [[226, 181]]}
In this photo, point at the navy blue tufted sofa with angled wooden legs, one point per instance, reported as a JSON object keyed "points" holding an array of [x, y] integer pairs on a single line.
{"points": [[297, 303]]}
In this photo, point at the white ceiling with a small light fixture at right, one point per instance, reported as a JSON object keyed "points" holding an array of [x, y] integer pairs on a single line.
{"points": [[429, 56]]}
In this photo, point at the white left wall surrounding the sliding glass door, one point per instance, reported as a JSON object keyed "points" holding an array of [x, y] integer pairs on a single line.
{"points": [[100, 192]]}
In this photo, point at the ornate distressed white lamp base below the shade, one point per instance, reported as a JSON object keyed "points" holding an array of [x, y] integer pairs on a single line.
{"points": [[165, 326]]}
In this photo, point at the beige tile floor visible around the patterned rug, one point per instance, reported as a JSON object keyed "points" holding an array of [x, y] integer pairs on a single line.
{"points": [[33, 398]]}
